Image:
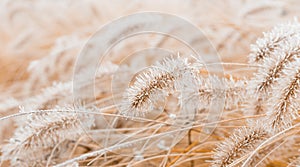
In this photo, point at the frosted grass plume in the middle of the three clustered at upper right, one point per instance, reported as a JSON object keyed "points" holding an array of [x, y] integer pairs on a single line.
{"points": [[265, 80]]}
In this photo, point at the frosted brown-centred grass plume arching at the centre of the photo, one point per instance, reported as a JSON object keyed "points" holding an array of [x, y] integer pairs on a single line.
{"points": [[152, 85]]}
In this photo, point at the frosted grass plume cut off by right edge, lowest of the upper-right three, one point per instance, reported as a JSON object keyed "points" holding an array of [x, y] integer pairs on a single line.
{"points": [[284, 107]]}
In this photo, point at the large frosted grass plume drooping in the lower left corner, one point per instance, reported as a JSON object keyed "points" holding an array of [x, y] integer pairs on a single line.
{"points": [[33, 141]]}
